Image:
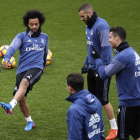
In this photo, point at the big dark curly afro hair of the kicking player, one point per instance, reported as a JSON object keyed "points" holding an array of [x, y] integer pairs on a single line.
{"points": [[32, 14]]}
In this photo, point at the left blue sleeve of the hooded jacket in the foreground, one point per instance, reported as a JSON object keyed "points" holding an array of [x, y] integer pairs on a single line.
{"points": [[75, 124]]}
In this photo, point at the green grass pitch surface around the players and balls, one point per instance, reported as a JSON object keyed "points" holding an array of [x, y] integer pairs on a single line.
{"points": [[68, 45]]}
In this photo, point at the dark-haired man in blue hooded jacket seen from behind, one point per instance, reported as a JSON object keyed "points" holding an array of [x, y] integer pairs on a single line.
{"points": [[84, 116]]}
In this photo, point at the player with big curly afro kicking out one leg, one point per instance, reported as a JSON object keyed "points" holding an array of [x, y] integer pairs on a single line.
{"points": [[33, 49]]}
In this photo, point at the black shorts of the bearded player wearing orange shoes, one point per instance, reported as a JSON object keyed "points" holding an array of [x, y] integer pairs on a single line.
{"points": [[98, 87]]}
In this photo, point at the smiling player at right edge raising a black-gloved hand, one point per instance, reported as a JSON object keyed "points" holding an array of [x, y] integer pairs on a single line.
{"points": [[126, 66]]}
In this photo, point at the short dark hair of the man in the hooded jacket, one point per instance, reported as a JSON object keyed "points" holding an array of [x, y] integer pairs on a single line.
{"points": [[76, 81]]}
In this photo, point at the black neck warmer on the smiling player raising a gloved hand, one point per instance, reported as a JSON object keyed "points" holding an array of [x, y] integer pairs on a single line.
{"points": [[123, 45]]}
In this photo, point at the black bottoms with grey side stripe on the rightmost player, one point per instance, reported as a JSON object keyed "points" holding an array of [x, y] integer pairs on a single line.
{"points": [[128, 122]]}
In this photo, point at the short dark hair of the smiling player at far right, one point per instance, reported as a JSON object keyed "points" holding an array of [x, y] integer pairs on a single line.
{"points": [[120, 31]]}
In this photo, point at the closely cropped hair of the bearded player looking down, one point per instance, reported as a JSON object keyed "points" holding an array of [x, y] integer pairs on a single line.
{"points": [[86, 7]]}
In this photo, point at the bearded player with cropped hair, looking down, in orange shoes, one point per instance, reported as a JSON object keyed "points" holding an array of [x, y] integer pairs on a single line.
{"points": [[97, 34]]}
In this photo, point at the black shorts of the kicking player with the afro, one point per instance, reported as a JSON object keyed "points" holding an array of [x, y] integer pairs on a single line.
{"points": [[33, 75]]}
